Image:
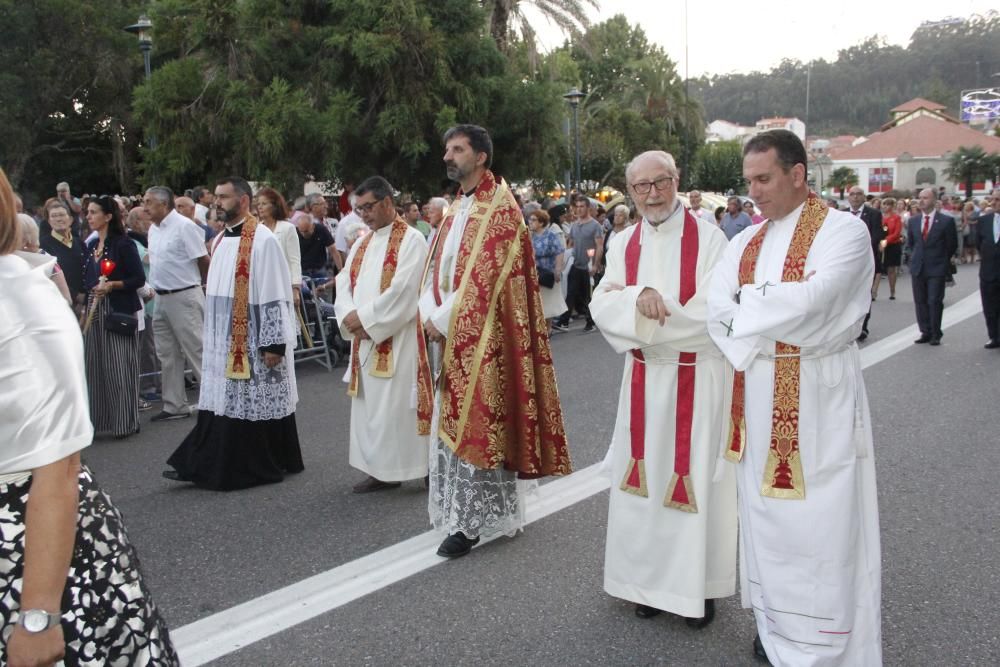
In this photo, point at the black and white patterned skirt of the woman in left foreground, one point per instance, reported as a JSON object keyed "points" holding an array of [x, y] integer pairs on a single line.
{"points": [[108, 615]]}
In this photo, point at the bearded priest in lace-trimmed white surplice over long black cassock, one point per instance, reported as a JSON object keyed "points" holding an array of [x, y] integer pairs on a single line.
{"points": [[246, 433]]}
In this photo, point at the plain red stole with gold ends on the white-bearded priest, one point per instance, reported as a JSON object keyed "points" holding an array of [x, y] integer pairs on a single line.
{"points": [[680, 493]]}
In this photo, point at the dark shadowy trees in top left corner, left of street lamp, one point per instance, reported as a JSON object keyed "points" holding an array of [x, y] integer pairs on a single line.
{"points": [[66, 72]]}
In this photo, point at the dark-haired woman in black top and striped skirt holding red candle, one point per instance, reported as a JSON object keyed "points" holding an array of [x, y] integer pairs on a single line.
{"points": [[111, 332]]}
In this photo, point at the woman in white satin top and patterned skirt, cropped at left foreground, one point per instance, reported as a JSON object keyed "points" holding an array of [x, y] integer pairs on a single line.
{"points": [[70, 586]]}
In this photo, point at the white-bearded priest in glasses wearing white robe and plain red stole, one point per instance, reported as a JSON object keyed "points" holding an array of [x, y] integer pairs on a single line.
{"points": [[671, 542]]}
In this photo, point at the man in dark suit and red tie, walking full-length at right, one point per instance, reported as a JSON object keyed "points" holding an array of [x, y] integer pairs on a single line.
{"points": [[932, 240]]}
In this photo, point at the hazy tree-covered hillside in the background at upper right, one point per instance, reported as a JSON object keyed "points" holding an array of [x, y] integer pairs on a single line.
{"points": [[853, 94]]}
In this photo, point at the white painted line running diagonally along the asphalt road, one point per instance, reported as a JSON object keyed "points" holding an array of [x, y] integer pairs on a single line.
{"points": [[232, 629]]}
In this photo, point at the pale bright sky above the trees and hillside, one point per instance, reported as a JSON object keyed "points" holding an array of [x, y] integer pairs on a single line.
{"points": [[729, 36]]}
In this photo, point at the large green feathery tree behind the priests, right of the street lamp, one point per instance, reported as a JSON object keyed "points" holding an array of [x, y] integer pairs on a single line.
{"points": [[337, 91]]}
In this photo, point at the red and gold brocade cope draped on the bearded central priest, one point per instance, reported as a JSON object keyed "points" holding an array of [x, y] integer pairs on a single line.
{"points": [[499, 399]]}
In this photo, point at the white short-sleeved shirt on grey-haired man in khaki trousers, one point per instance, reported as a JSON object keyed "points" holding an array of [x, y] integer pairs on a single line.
{"points": [[175, 245]]}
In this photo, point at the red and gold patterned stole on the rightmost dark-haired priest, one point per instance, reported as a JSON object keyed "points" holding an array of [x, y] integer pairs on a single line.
{"points": [[783, 470]]}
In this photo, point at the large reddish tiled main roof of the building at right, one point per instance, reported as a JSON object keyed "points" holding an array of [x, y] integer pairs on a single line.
{"points": [[924, 136]]}
